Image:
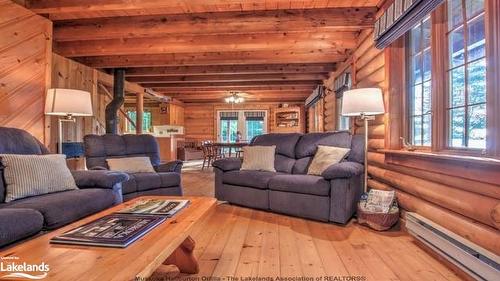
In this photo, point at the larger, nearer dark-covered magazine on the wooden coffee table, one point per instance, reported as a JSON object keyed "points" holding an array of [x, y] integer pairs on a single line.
{"points": [[115, 230]]}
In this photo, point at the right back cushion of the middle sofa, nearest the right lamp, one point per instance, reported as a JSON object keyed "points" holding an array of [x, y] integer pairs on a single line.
{"points": [[308, 144]]}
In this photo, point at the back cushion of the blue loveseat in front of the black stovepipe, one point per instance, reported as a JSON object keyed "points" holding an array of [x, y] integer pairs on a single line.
{"points": [[100, 148]]}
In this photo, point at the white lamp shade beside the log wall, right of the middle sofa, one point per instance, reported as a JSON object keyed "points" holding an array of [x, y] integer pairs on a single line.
{"points": [[364, 101]]}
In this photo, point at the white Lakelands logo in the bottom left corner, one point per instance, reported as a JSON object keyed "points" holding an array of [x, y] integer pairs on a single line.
{"points": [[11, 267]]}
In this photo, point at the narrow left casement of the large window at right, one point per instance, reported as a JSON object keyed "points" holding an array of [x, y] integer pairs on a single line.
{"points": [[419, 78]]}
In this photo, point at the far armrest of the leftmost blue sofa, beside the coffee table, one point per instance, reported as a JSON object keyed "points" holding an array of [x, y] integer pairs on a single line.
{"points": [[98, 178]]}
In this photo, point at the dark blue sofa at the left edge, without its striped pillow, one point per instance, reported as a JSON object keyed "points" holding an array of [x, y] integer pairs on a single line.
{"points": [[19, 219]]}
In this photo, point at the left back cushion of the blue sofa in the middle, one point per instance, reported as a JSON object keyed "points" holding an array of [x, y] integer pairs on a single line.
{"points": [[285, 149]]}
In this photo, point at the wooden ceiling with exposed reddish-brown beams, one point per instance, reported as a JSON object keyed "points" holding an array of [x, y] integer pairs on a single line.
{"points": [[199, 50]]}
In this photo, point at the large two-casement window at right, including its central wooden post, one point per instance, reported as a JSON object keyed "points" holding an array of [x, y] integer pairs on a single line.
{"points": [[446, 79]]}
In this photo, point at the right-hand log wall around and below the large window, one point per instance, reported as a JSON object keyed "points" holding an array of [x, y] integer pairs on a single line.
{"points": [[459, 193]]}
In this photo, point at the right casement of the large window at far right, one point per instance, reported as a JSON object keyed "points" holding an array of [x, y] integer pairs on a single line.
{"points": [[466, 108]]}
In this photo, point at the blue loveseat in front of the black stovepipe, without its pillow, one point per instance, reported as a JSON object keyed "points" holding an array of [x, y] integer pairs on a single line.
{"points": [[165, 181]]}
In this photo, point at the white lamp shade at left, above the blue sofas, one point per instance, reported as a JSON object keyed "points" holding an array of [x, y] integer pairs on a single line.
{"points": [[64, 102]]}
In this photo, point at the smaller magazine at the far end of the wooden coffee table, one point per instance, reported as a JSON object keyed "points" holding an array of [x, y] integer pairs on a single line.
{"points": [[158, 207]]}
